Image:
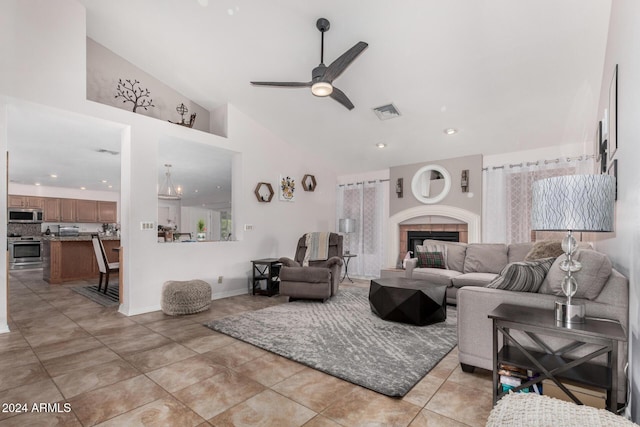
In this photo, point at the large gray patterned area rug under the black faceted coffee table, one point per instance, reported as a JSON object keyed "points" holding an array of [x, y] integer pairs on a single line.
{"points": [[343, 338]]}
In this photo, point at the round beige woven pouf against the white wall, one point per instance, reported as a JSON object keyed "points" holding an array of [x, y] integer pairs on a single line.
{"points": [[185, 297]]}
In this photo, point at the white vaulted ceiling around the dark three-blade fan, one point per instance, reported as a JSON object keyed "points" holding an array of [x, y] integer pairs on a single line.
{"points": [[508, 74]]}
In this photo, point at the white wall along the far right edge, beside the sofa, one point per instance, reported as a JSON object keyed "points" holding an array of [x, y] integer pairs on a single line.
{"points": [[623, 246]]}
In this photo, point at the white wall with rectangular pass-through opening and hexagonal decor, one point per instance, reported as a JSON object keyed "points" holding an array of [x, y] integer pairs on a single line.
{"points": [[42, 49]]}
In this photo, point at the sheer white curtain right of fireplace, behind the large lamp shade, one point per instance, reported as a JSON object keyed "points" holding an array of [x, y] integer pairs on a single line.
{"points": [[506, 210]]}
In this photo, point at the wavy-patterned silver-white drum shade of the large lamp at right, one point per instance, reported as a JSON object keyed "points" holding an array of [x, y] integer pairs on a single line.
{"points": [[573, 202]]}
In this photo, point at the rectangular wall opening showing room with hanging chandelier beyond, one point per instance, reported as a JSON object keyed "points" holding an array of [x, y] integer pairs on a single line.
{"points": [[201, 177]]}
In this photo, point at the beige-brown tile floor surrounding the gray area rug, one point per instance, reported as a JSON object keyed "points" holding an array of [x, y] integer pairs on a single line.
{"points": [[152, 369]]}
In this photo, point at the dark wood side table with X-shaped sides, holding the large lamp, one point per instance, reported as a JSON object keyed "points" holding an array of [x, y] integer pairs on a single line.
{"points": [[554, 364]]}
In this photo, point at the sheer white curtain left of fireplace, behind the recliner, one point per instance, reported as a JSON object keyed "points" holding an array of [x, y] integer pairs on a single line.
{"points": [[364, 202]]}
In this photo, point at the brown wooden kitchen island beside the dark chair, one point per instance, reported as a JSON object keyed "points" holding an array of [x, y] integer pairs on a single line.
{"points": [[65, 259]]}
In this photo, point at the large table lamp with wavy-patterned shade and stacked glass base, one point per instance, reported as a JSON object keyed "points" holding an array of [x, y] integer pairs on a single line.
{"points": [[572, 203]]}
